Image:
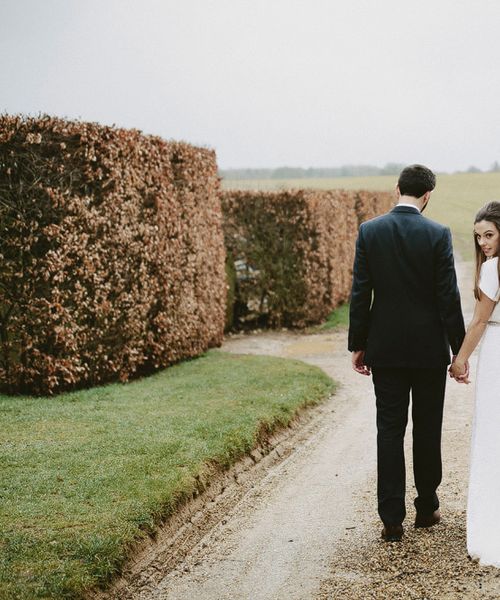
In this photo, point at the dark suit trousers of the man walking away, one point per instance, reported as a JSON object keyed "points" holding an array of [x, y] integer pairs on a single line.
{"points": [[392, 391]]}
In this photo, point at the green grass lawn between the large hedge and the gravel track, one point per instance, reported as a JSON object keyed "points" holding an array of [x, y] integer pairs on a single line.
{"points": [[85, 474]]}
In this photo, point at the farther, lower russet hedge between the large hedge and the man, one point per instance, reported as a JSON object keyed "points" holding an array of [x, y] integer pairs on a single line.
{"points": [[293, 251]]}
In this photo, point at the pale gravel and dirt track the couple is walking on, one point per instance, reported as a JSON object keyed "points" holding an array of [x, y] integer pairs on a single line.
{"points": [[298, 520]]}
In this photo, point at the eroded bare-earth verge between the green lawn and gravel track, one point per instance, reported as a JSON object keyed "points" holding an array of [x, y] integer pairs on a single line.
{"points": [[153, 557]]}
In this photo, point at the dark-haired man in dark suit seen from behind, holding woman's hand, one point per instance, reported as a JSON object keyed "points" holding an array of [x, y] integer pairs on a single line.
{"points": [[405, 314]]}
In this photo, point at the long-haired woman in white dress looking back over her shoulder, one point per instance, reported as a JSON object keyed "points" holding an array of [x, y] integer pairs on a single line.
{"points": [[483, 507]]}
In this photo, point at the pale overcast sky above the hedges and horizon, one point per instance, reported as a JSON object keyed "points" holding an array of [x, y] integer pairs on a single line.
{"points": [[268, 83]]}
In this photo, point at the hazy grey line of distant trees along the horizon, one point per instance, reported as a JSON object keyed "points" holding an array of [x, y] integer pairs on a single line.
{"points": [[344, 171]]}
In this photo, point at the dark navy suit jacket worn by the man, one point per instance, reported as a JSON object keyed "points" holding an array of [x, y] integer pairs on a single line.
{"points": [[405, 304]]}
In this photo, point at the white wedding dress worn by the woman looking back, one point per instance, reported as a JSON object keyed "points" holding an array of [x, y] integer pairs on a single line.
{"points": [[483, 507]]}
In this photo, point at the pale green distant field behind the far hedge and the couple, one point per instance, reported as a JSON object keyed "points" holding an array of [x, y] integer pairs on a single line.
{"points": [[454, 202]]}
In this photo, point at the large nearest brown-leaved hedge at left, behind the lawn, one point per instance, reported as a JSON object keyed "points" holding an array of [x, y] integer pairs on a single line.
{"points": [[111, 253]]}
